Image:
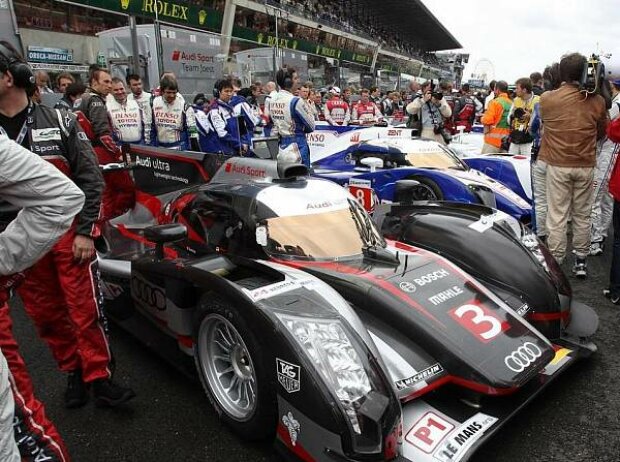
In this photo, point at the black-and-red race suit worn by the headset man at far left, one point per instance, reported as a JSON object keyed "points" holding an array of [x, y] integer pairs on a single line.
{"points": [[59, 293]]}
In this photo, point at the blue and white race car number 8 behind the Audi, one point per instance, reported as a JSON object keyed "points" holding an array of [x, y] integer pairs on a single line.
{"points": [[382, 164]]}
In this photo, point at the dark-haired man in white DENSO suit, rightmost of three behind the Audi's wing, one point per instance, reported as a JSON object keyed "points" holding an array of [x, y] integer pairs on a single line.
{"points": [[173, 121]]}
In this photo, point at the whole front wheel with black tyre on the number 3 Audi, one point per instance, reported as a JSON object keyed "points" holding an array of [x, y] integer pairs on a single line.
{"points": [[231, 364]]}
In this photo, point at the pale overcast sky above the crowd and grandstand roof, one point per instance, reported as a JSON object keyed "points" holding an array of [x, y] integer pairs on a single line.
{"points": [[523, 36]]}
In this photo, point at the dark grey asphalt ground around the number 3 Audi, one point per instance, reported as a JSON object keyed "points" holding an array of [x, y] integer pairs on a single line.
{"points": [[576, 419]]}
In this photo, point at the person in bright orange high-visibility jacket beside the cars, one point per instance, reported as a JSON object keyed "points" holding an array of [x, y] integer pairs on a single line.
{"points": [[495, 119]]}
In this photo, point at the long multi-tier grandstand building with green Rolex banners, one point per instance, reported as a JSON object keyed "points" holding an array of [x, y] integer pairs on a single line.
{"points": [[342, 41]]}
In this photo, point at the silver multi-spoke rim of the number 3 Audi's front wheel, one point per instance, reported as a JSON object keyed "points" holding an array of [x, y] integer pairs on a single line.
{"points": [[227, 366]]}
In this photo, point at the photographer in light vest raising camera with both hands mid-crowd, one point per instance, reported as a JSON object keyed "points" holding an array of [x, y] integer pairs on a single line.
{"points": [[431, 109]]}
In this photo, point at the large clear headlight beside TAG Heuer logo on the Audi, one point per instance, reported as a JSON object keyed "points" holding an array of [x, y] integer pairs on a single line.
{"points": [[349, 375]]}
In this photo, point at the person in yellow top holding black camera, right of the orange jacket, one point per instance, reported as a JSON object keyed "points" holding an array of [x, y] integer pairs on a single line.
{"points": [[519, 118]]}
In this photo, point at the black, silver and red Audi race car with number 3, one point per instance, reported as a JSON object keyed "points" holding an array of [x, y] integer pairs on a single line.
{"points": [[304, 322]]}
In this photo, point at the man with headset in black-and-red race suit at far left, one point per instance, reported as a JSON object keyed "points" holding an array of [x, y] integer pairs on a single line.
{"points": [[60, 292]]}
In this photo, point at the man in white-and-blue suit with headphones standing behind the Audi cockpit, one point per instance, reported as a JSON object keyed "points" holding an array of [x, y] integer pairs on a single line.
{"points": [[292, 118]]}
